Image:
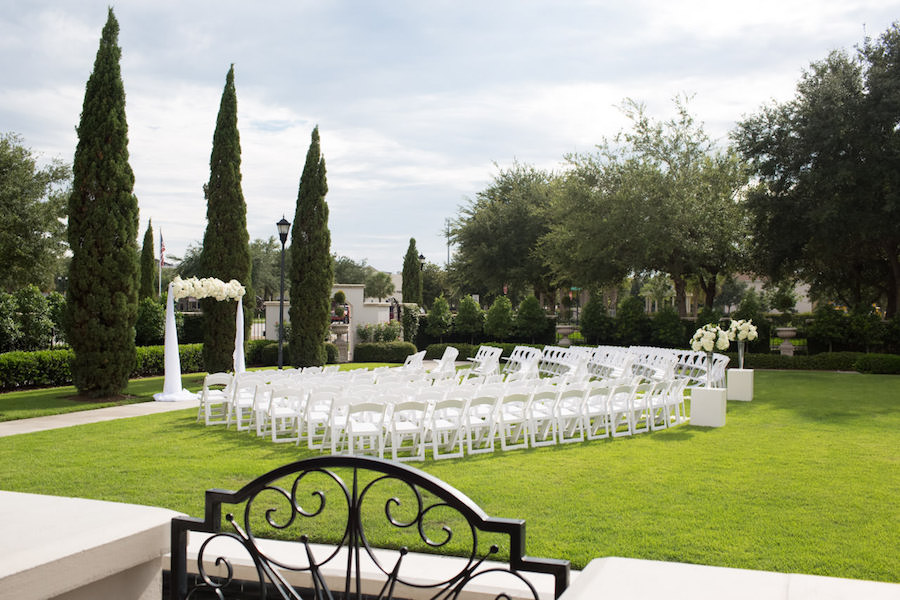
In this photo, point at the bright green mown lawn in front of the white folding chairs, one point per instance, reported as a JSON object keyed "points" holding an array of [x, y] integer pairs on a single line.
{"points": [[803, 479]]}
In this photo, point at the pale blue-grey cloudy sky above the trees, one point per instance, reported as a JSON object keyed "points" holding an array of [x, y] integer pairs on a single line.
{"points": [[418, 102]]}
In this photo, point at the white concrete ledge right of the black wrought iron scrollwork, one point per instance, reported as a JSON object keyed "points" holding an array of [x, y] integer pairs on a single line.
{"points": [[651, 580]]}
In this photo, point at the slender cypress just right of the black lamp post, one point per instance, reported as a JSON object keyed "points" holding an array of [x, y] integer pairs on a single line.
{"points": [[312, 269]]}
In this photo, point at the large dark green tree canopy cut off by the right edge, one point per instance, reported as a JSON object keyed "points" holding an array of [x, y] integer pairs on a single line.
{"points": [[826, 207]]}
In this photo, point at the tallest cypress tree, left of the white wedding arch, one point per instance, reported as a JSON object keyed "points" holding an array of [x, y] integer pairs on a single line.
{"points": [[102, 230]]}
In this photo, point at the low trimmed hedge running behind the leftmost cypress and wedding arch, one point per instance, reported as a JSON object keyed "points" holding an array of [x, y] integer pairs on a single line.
{"points": [[49, 368]]}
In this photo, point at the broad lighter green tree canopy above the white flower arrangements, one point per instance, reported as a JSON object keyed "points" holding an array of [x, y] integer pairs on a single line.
{"points": [[660, 197]]}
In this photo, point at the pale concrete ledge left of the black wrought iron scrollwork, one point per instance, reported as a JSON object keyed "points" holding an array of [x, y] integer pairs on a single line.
{"points": [[73, 548]]}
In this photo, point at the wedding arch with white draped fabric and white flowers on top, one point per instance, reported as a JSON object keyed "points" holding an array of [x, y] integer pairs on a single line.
{"points": [[207, 287]]}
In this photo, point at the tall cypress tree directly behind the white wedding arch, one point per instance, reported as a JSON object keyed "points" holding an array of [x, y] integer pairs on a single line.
{"points": [[226, 242]]}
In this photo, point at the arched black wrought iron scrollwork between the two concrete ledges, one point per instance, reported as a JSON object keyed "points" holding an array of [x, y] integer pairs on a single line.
{"points": [[298, 501]]}
